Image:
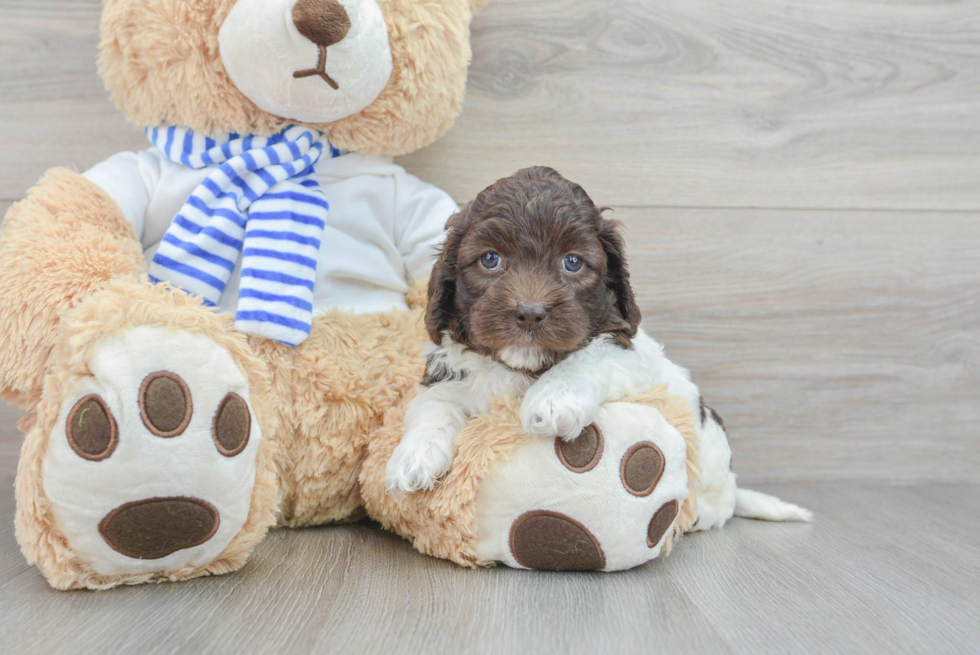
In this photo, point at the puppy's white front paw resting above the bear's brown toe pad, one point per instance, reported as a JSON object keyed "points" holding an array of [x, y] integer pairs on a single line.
{"points": [[558, 410]]}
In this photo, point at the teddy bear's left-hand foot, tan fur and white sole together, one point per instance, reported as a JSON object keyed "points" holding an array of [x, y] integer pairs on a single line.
{"points": [[149, 456]]}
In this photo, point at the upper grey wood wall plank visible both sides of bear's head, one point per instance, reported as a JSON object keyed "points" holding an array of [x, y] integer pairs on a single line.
{"points": [[760, 103]]}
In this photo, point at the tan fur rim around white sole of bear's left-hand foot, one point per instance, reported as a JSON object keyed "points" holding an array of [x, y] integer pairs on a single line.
{"points": [[125, 303]]}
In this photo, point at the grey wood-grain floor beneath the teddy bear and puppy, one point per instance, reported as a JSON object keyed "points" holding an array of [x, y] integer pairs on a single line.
{"points": [[884, 569]]}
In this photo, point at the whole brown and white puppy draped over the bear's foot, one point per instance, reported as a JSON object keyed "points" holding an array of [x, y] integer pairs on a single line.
{"points": [[531, 295]]}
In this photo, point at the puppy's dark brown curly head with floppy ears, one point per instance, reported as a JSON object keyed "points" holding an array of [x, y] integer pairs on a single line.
{"points": [[531, 272]]}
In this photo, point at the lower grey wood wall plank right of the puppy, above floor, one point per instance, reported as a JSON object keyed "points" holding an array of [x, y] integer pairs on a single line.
{"points": [[836, 345]]}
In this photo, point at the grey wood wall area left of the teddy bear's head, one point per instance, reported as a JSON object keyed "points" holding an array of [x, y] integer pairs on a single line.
{"points": [[54, 110]]}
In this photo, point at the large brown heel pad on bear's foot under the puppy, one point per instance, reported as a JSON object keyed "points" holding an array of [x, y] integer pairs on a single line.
{"points": [[554, 542]]}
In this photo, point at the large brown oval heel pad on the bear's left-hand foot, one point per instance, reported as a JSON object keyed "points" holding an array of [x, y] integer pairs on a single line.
{"points": [[157, 527]]}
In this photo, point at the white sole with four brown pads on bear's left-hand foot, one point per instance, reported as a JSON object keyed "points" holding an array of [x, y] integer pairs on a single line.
{"points": [[152, 463]]}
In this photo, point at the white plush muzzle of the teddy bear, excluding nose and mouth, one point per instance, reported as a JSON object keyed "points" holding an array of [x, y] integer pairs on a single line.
{"points": [[262, 49]]}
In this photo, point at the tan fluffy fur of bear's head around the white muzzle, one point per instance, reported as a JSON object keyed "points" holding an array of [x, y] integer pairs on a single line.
{"points": [[161, 64]]}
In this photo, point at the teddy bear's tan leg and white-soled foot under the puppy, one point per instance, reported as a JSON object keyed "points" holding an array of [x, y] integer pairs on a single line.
{"points": [[612, 499]]}
